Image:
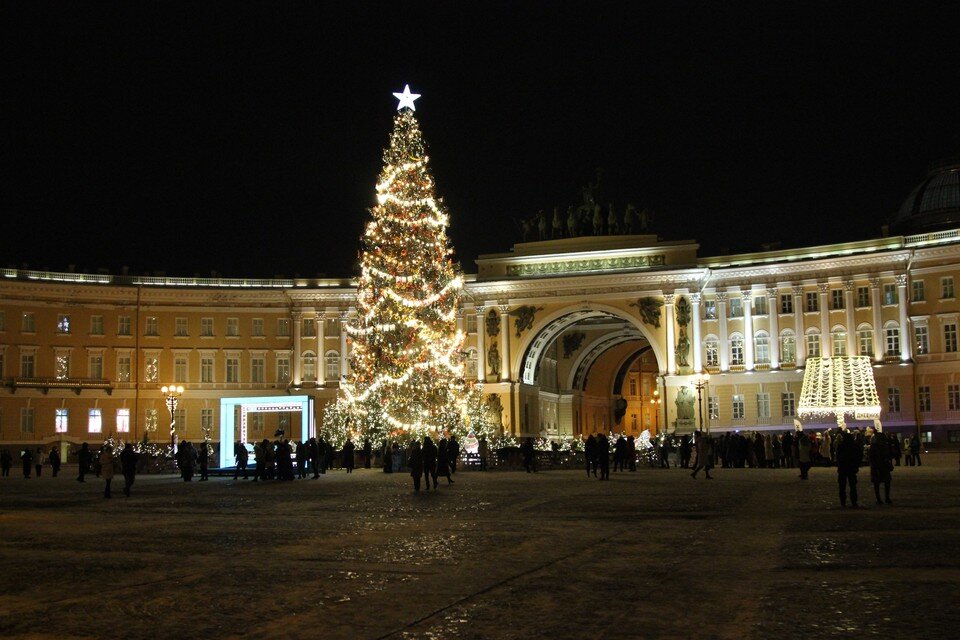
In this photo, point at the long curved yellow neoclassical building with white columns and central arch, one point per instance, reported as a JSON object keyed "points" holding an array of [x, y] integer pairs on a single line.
{"points": [[569, 336]]}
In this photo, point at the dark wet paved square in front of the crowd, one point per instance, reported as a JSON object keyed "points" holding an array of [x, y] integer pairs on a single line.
{"points": [[752, 553]]}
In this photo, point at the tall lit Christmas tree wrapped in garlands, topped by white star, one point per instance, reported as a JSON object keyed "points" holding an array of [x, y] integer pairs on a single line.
{"points": [[407, 364]]}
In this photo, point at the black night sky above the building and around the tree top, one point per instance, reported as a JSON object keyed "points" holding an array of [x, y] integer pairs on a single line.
{"points": [[247, 138]]}
